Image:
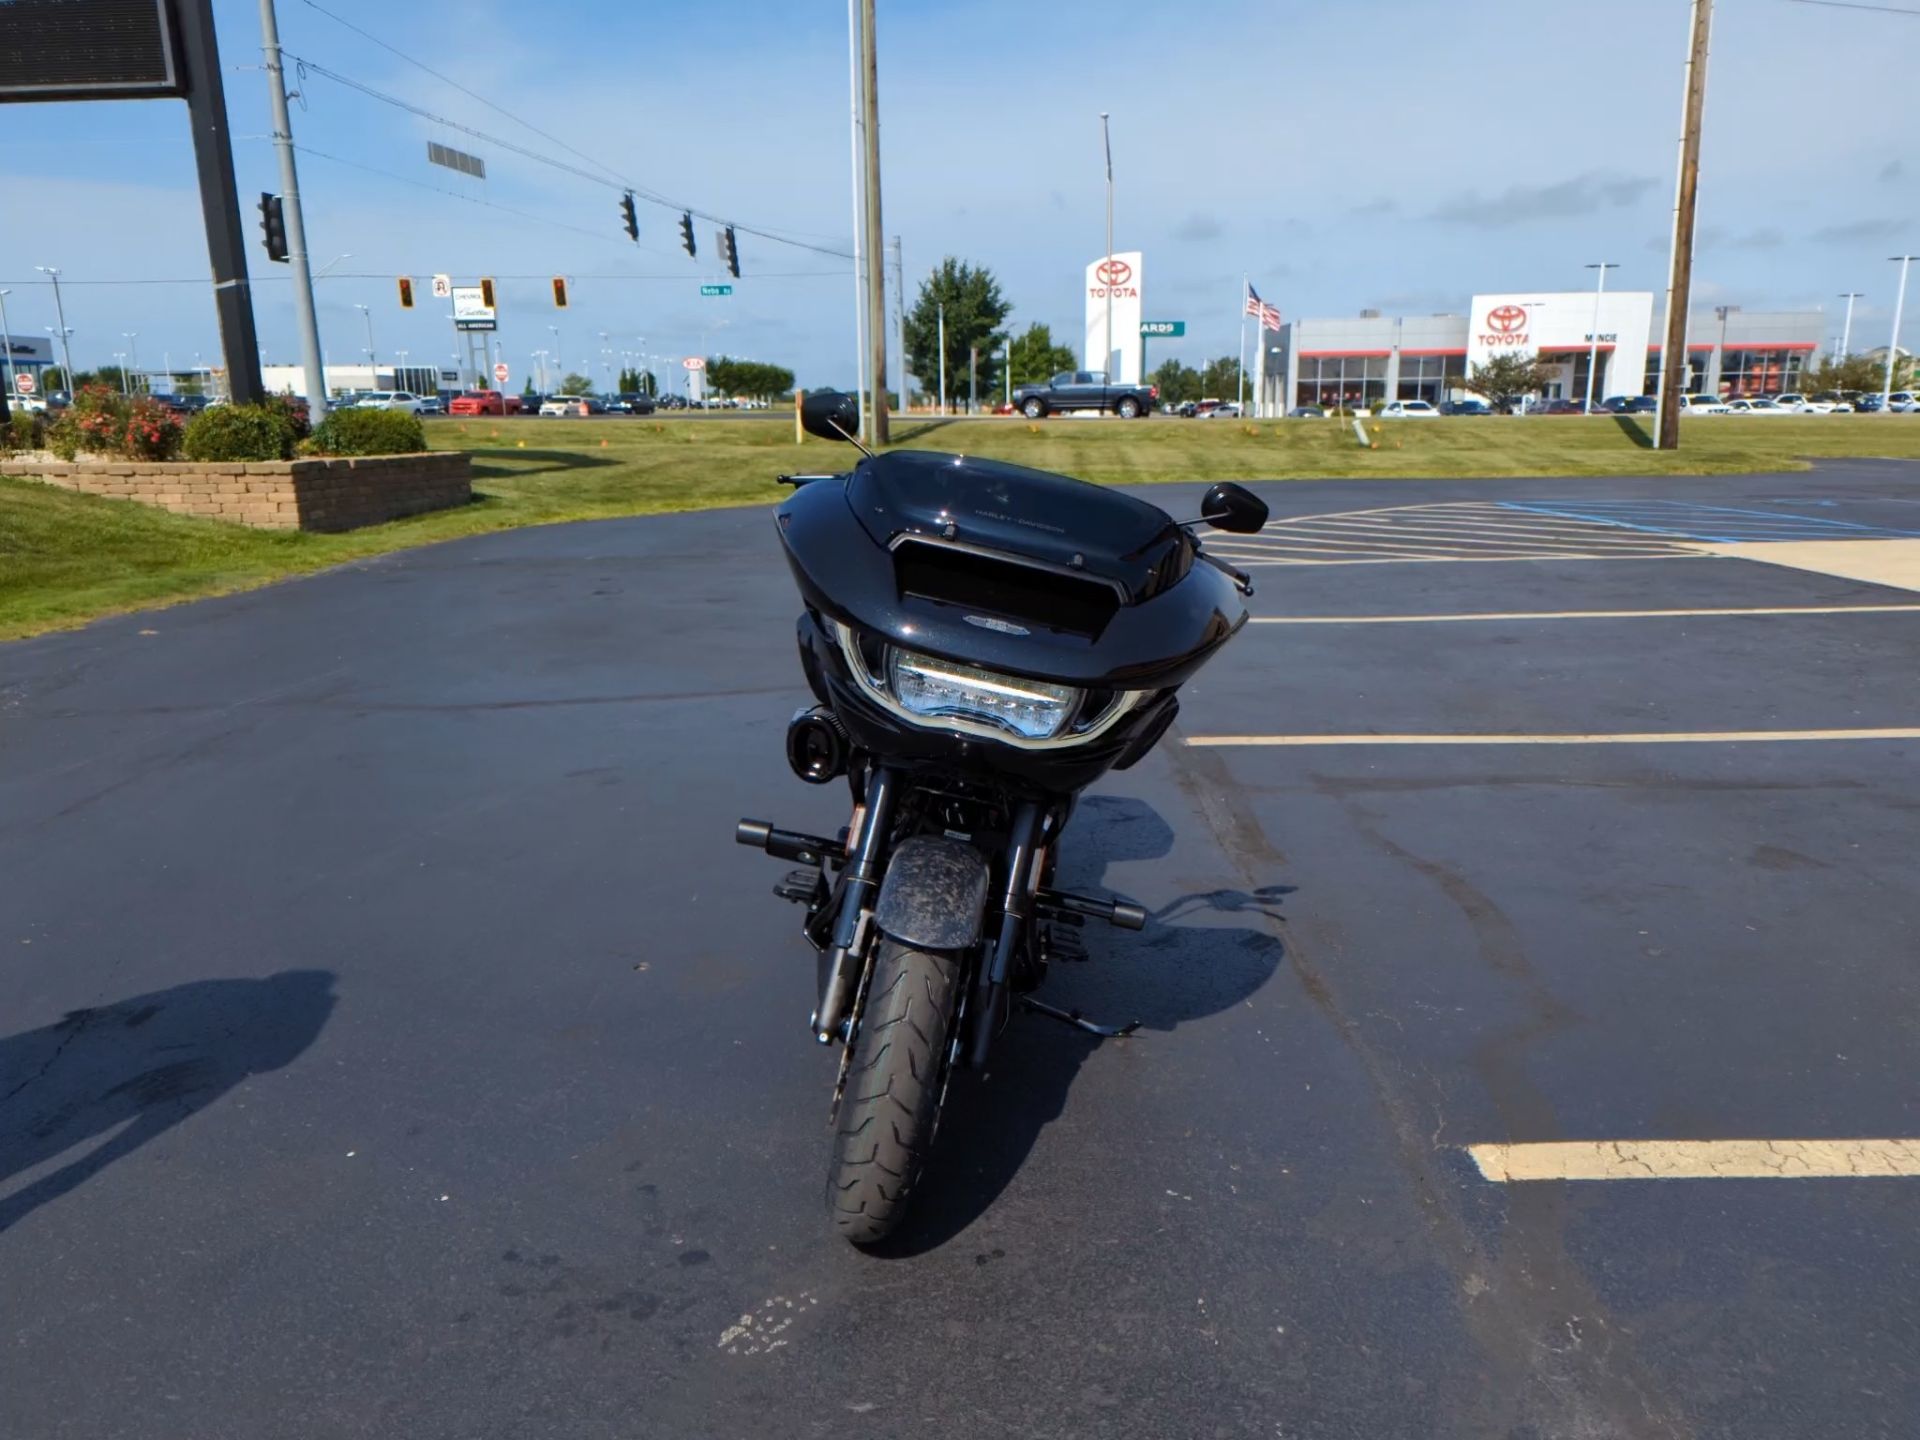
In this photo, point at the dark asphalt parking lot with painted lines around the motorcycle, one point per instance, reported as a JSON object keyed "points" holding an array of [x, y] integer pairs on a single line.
{"points": [[393, 1040]]}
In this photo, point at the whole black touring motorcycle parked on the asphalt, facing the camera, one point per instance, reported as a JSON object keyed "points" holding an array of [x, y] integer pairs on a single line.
{"points": [[986, 642]]}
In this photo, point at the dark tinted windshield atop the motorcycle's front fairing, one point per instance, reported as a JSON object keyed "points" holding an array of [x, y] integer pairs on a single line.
{"points": [[1017, 512]]}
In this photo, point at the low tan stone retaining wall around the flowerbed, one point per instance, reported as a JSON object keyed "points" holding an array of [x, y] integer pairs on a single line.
{"points": [[341, 494]]}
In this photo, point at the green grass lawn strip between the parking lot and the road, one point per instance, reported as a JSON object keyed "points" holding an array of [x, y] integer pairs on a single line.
{"points": [[72, 558]]}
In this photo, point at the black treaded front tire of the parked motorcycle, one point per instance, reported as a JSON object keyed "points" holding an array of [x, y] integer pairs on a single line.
{"points": [[894, 1090]]}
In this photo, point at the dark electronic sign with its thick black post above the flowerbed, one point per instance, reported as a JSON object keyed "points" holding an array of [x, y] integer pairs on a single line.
{"points": [[139, 51]]}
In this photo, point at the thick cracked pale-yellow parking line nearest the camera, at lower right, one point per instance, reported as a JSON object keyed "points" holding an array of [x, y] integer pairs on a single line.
{"points": [[1696, 1161]]}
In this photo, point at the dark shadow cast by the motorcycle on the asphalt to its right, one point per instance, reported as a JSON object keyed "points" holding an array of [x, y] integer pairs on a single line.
{"points": [[1182, 969]]}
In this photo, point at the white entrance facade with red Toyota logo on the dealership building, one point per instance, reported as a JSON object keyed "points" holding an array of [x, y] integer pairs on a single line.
{"points": [[1566, 327]]}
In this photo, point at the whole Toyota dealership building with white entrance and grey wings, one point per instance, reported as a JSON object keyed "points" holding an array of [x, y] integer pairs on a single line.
{"points": [[1374, 358]]}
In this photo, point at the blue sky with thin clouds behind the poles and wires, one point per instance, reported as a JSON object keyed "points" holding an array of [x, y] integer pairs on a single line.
{"points": [[1370, 155]]}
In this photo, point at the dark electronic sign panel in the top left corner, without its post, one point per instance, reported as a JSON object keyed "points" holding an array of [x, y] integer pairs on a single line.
{"points": [[87, 51]]}
